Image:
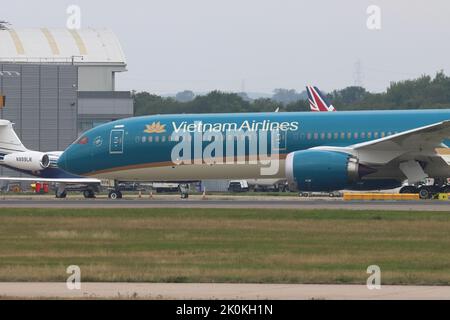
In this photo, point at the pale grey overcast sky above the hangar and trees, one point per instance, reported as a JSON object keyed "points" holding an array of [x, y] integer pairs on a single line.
{"points": [[259, 45]]}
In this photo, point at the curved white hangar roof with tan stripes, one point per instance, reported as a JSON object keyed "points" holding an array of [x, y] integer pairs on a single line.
{"points": [[48, 45]]}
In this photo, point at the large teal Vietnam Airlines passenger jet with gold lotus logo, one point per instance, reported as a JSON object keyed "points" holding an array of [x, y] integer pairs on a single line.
{"points": [[317, 151]]}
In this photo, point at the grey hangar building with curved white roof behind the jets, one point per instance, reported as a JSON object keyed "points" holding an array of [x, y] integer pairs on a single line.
{"points": [[59, 83]]}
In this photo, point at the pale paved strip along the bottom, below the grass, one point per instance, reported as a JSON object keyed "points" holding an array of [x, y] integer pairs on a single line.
{"points": [[198, 291]]}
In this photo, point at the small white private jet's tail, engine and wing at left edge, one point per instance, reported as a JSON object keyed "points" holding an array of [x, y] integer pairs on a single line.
{"points": [[42, 165]]}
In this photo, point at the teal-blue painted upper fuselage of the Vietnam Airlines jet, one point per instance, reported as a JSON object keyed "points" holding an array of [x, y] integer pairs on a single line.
{"points": [[303, 130]]}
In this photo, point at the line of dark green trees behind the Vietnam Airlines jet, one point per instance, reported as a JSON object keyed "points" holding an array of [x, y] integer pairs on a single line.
{"points": [[421, 93]]}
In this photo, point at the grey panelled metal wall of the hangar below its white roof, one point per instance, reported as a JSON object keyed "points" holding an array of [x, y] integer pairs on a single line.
{"points": [[42, 102]]}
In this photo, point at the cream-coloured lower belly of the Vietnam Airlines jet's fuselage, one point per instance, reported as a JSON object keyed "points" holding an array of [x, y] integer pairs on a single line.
{"points": [[193, 172]]}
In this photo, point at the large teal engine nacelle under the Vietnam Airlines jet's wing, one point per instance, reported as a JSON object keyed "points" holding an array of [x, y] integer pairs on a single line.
{"points": [[320, 170]]}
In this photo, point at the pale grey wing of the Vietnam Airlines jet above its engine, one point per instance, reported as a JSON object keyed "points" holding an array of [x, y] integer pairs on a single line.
{"points": [[421, 141]]}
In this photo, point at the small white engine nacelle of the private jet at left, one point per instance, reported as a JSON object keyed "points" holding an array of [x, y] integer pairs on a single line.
{"points": [[29, 160]]}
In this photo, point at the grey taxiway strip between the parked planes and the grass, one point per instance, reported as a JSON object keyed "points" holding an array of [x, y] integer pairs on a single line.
{"points": [[249, 202]]}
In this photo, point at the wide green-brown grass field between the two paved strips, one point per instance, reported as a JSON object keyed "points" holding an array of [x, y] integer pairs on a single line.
{"points": [[225, 245]]}
